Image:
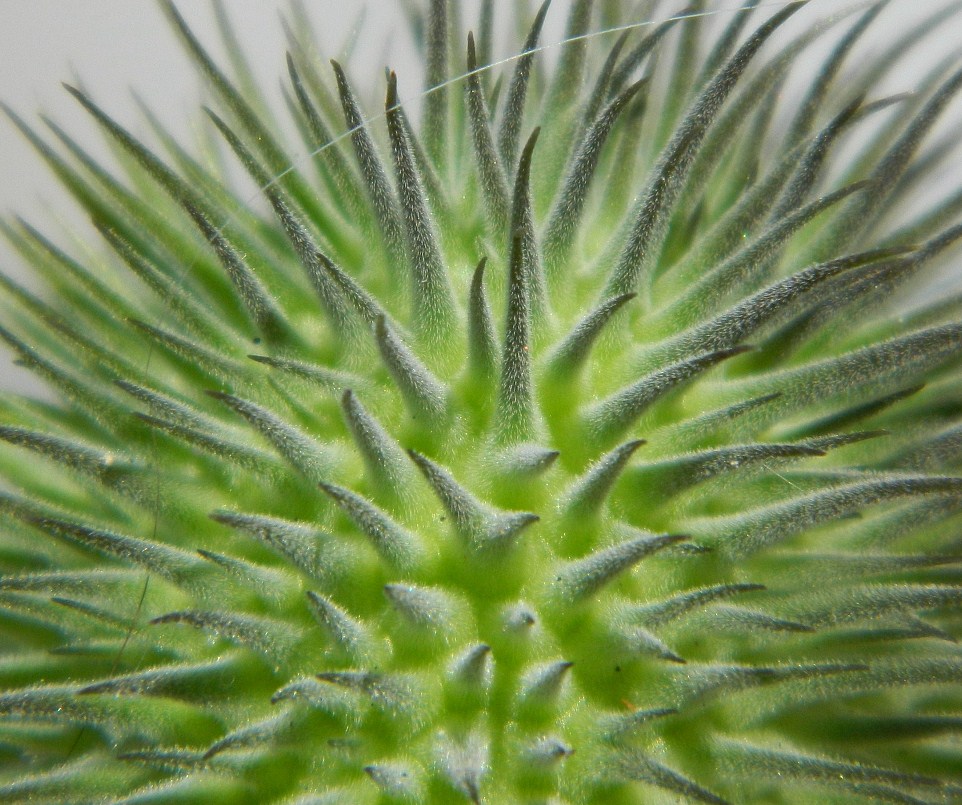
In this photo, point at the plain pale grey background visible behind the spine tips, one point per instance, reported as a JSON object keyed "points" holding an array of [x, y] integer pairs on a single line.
{"points": [[114, 46]]}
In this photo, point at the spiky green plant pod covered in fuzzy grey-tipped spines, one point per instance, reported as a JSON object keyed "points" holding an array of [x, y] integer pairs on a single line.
{"points": [[415, 550]]}
